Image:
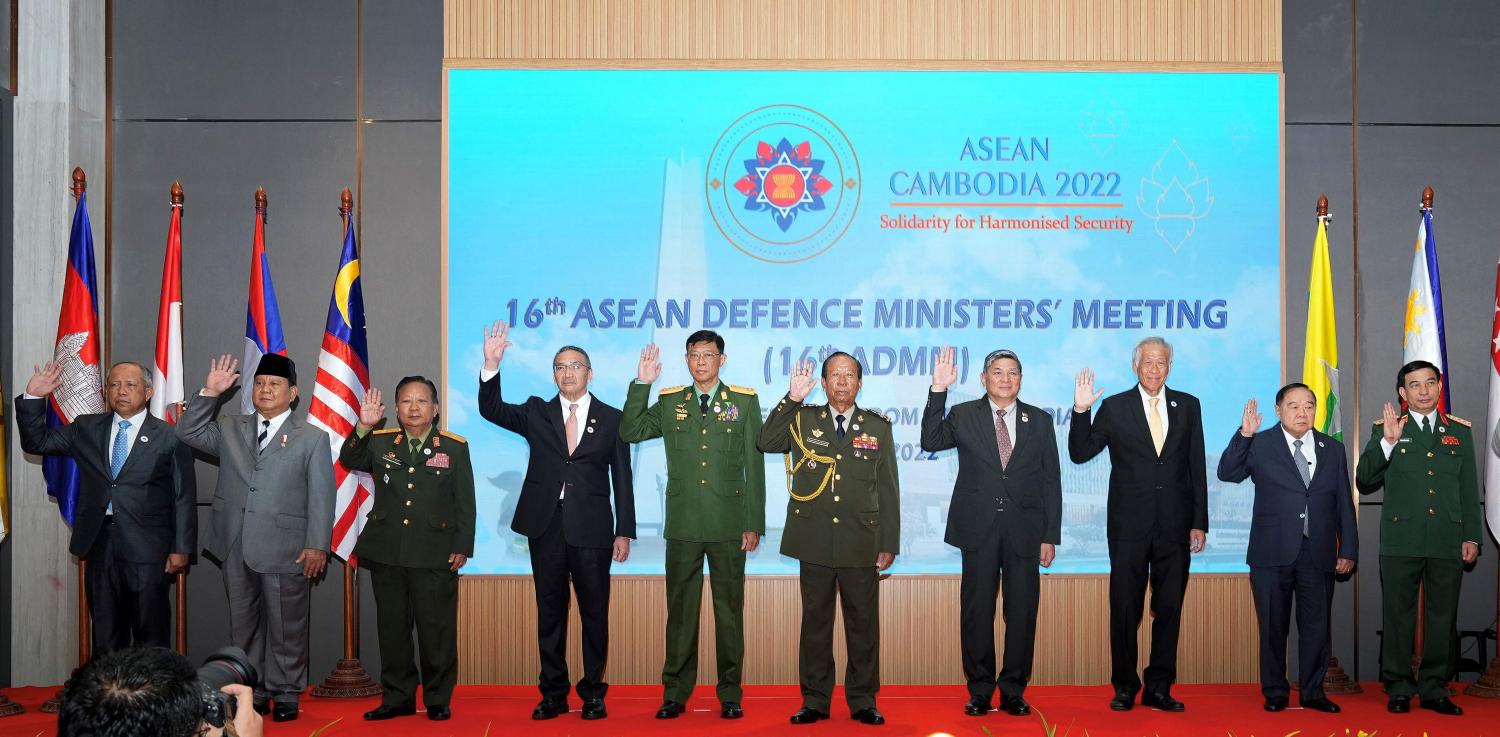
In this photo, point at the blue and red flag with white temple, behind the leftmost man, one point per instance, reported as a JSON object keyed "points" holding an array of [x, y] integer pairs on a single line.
{"points": [[77, 350]]}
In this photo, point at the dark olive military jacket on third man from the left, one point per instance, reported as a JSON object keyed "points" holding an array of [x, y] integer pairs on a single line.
{"points": [[424, 507]]}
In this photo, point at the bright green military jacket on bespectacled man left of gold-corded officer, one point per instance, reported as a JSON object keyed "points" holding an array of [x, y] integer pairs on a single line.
{"points": [[715, 475]]}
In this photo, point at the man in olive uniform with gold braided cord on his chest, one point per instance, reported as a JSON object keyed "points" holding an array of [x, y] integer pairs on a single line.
{"points": [[844, 523]]}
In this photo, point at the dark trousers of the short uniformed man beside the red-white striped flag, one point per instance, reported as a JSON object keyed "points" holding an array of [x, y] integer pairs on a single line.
{"points": [[428, 601]]}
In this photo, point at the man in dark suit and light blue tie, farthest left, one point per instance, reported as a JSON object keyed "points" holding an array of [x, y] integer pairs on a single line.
{"points": [[136, 523]]}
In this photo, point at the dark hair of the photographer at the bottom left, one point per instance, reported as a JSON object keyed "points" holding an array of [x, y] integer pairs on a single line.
{"points": [[134, 693]]}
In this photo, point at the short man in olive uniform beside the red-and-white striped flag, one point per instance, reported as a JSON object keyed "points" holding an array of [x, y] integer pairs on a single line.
{"points": [[419, 535]]}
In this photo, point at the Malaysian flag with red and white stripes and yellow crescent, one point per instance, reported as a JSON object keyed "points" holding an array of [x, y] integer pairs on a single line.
{"points": [[343, 381]]}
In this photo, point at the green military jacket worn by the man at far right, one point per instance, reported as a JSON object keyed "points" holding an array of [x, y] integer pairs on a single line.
{"points": [[1432, 504]]}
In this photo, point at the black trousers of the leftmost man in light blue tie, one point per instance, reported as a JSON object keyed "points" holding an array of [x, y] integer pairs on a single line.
{"points": [[128, 603]]}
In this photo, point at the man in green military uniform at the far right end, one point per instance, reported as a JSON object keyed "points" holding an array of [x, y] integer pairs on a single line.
{"points": [[1429, 531]]}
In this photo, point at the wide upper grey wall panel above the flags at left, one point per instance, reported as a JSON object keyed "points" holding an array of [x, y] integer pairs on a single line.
{"points": [[272, 59]]}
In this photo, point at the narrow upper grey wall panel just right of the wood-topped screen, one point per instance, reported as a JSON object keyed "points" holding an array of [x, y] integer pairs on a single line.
{"points": [[1318, 61]]}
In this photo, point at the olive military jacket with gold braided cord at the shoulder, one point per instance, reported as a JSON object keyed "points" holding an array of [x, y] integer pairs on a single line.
{"points": [[845, 507]]}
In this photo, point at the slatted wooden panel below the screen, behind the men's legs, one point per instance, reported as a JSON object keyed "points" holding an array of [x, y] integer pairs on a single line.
{"points": [[919, 631]]}
